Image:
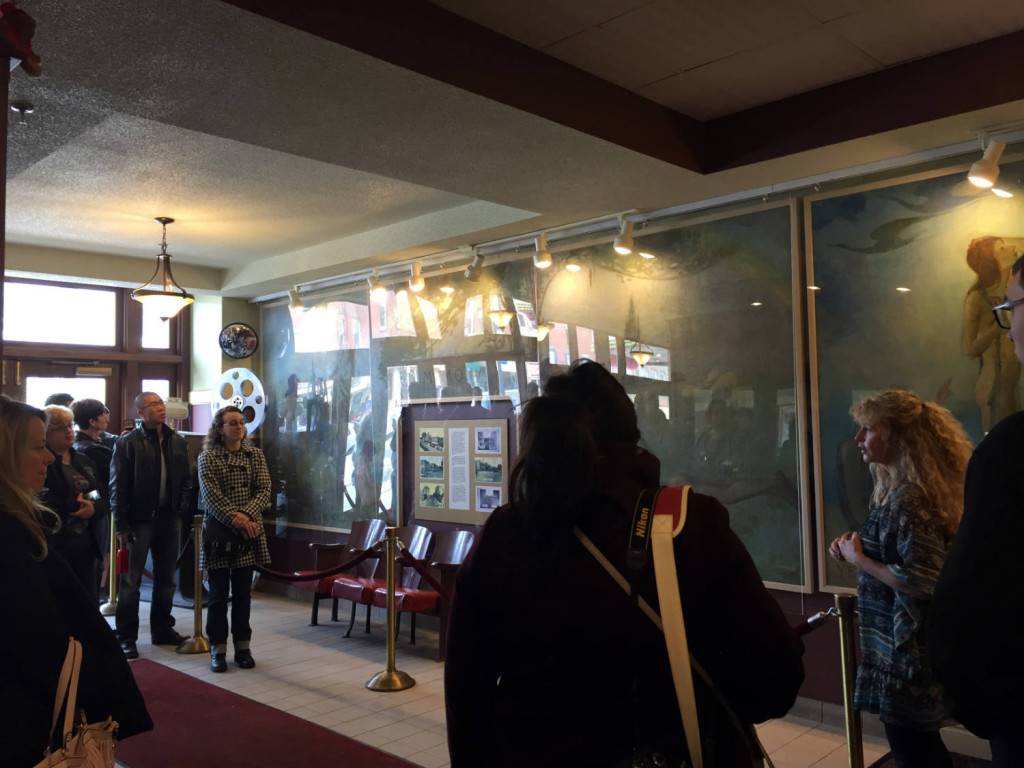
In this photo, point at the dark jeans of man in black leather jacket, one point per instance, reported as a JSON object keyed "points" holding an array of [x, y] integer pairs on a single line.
{"points": [[162, 538]]}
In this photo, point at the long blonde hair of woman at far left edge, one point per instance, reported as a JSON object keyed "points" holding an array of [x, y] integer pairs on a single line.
{"points": [[18, 499]]}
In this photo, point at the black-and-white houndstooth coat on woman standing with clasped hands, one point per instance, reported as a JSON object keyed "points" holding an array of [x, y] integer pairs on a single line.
{"points": [[235, 481]]}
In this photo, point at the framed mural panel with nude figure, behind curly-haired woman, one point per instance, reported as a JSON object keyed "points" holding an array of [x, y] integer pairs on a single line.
{"points": [[903, 277]]}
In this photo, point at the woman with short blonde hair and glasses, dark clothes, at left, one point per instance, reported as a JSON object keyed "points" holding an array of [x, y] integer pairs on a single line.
{"points": [[73, 491]]}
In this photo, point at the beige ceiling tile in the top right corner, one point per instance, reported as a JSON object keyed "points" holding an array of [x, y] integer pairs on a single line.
{"points": [[903, 30]]}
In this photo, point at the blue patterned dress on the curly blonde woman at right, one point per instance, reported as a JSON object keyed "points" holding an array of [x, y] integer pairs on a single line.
{"points": [[895, 677]]}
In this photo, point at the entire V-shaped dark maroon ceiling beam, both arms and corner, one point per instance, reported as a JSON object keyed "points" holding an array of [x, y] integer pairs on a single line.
{"points": [[435, 42]]}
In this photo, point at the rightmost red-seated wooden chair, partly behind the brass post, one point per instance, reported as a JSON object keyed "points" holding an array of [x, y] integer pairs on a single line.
{"points": [[450, 551]]}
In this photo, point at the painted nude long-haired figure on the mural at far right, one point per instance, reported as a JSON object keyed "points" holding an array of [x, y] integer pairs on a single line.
{"points": [[996, 391]]}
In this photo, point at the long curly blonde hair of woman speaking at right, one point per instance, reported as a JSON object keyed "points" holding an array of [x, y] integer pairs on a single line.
{"points": [[932, 451]]}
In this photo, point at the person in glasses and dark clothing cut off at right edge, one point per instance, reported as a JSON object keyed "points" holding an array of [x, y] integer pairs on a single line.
{"points": [[976, 625]]}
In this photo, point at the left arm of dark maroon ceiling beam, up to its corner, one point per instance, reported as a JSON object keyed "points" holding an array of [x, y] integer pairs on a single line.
{"points": [[433, 41]]}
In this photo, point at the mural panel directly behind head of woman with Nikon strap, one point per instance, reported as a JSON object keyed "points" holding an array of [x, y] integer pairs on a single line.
{"points": [[720, 408]]}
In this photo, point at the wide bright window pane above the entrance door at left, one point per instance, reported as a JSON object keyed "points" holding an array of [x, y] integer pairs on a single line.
{"points": [[26, 317]]}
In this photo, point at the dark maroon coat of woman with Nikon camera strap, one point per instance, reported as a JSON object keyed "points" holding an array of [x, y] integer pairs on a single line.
{"points": [[542, 659]]}
